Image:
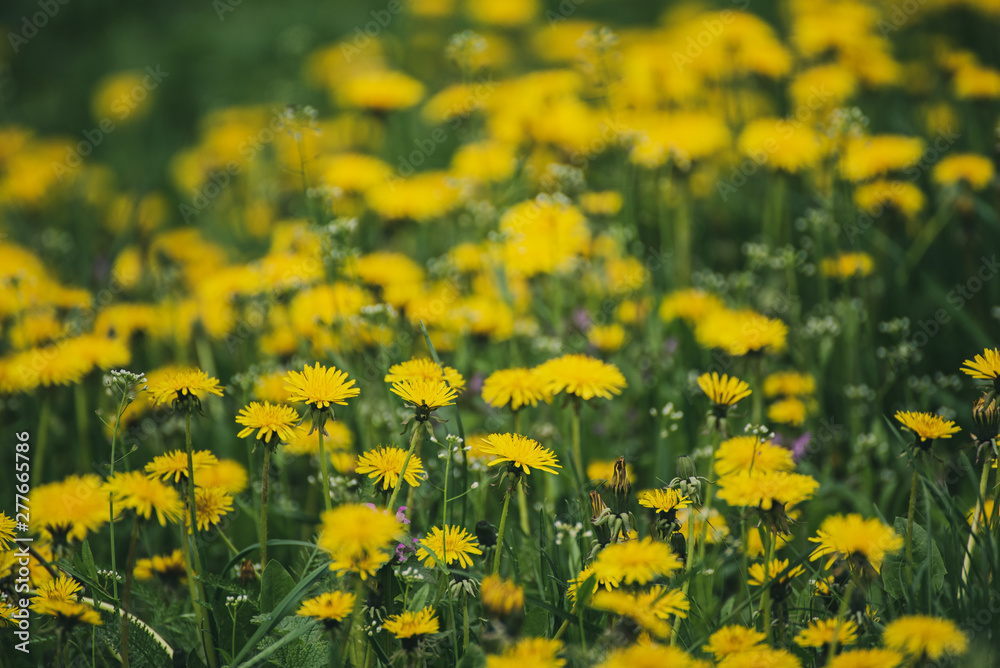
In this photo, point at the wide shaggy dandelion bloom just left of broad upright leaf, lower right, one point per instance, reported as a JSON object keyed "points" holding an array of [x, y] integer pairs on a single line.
{"points": [[854, 539]]}
